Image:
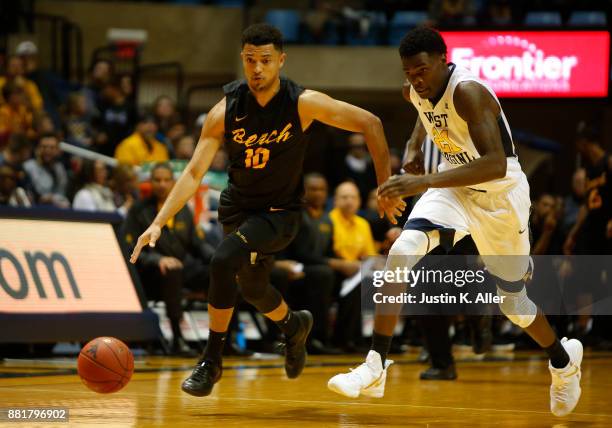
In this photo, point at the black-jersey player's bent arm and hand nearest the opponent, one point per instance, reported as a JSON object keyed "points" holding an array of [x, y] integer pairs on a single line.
{"points": [[315, 105]]}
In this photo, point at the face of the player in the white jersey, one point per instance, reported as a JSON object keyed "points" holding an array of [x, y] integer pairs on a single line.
{"points": [[426, 72]]}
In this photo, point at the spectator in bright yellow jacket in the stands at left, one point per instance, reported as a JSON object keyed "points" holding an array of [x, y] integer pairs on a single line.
{"points": [[142, 146]]}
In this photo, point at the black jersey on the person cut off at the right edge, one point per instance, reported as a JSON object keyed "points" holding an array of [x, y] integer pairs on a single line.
{"points": [[599, 202]]}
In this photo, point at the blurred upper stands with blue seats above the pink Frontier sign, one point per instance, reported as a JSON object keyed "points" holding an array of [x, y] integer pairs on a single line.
{"points": [[382, 22]]}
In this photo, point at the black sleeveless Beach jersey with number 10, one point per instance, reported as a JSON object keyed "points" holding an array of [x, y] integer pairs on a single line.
{"points": [[266, 148]]}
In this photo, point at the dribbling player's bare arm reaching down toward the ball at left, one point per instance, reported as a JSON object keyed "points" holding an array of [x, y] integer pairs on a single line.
{"points": [[211, 139]]}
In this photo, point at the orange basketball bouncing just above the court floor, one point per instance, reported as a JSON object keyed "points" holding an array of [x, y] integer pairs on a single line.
{"points": [[105, 365]]}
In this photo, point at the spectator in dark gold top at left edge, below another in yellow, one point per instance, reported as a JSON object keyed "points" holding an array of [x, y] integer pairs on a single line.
{"points": [[15, 116]]}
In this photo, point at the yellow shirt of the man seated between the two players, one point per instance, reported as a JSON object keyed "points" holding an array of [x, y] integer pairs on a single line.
{"points": [[352, 237]]}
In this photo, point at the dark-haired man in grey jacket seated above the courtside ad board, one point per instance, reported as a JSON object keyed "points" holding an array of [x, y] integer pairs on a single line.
{"points": [[47, 174]]}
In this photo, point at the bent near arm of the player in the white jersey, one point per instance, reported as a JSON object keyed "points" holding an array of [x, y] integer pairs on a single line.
{"points": [[480, 110]]}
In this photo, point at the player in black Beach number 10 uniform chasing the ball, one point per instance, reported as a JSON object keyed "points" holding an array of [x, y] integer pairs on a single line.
{"points": [[262, 122]]}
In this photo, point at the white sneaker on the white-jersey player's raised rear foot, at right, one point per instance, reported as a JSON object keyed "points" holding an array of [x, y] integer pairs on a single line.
{"points": [[565, 389]]}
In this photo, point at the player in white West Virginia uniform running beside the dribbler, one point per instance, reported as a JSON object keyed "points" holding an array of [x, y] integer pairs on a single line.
{"points": [[480, 190]]}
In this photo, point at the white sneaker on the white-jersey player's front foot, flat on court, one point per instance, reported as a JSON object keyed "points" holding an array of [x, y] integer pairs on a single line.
{"points": [[368, 379]]}
